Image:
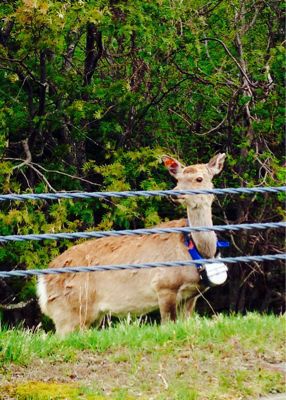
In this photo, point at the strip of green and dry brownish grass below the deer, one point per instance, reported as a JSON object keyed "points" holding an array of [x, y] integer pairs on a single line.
{"points": [[227, 357]]}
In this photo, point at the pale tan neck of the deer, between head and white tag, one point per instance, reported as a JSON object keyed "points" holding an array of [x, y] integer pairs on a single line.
{"points": [[206, 242]]}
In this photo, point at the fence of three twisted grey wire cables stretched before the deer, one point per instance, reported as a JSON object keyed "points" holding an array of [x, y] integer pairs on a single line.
{"points": [[136, 232]]}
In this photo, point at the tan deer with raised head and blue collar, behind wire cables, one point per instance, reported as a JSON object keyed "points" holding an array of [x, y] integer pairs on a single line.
{"points": [[77, 301]]}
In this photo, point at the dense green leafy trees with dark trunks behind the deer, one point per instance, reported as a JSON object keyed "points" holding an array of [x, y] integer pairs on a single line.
{"points": [[92, 93]]}
